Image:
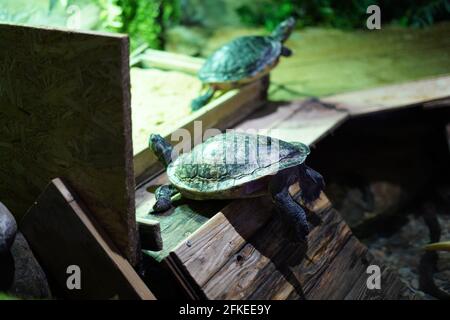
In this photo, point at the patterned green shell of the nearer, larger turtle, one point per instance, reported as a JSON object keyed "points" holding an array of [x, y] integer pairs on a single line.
{"points": [[233, 165]]}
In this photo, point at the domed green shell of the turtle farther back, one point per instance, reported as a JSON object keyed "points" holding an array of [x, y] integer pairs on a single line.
{"points": [[242, 58]]}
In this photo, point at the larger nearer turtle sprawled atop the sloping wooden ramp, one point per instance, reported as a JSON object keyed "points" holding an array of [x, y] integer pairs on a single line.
{"points": [[236, 165]]}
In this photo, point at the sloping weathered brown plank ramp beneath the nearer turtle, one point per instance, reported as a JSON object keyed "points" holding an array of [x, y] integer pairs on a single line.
{"points": [[241, 253]]}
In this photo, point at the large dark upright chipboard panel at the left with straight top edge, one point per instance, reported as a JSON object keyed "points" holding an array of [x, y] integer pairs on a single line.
{"points": [[65, 112]]}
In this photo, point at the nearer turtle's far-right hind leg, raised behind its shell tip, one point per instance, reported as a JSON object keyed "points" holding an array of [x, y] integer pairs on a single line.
{"points": [[311, 183]]}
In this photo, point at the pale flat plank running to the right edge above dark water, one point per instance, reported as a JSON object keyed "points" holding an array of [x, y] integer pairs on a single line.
{"points": [[392, 97]]}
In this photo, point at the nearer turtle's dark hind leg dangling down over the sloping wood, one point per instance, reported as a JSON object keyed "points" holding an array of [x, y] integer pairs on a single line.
{"points": [[290, 211]]}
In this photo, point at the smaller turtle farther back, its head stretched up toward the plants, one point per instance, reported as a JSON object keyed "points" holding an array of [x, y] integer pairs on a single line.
{"points": [[241, 61]]}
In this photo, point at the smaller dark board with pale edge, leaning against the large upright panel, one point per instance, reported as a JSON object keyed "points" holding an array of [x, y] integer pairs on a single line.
{"points": [[58, 225]]}
